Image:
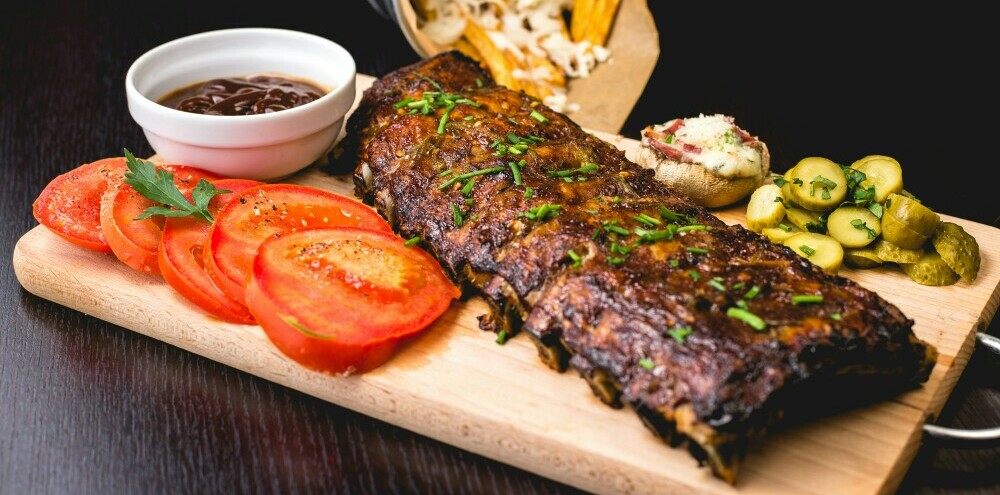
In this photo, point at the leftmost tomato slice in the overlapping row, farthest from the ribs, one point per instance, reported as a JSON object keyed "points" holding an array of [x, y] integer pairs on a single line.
{"points": [[70, 205]]}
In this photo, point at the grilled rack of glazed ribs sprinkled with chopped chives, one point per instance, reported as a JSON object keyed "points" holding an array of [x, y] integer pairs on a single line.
{"points": [[657, 303]]}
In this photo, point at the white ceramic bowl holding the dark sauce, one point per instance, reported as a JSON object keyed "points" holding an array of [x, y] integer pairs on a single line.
{"points": [[262, 147]]}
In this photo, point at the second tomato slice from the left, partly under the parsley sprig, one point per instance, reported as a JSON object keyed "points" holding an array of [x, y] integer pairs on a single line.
{"points": [[136, 242]]}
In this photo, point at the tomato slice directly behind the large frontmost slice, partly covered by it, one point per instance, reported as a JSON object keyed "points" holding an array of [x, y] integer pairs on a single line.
{"points": [[267, 211]]}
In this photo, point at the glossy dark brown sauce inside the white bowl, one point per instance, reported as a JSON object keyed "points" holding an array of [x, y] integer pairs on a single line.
{"points": [[252, 95]]}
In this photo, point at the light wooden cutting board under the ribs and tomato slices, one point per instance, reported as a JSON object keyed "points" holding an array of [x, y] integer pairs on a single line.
{"points": [[455, 384]]}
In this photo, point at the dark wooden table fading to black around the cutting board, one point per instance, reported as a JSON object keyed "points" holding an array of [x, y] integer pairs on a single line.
{"points": [[88, 407]]}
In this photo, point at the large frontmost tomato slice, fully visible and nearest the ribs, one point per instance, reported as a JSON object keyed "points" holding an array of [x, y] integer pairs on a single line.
{"points": [[340, 299]]}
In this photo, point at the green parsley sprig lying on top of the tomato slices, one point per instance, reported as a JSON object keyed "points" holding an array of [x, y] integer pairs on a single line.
{"points": [[158, 185]]}
